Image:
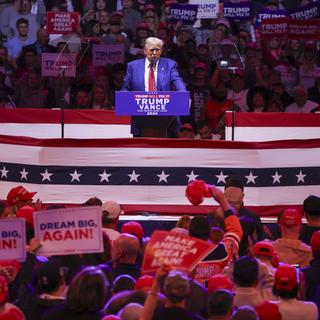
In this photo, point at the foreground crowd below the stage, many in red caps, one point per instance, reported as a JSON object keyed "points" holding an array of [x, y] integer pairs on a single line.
{"points": [[252, 272]]}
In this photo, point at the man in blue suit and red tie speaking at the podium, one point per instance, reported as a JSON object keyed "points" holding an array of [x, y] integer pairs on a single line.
{"points": [[152, 74]]}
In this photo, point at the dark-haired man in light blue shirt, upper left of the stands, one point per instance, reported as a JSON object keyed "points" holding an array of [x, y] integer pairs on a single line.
{"points": [[22, 39]]}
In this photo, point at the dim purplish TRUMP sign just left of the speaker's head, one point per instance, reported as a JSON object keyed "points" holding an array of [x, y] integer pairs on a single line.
{"points": [[103, 54]]}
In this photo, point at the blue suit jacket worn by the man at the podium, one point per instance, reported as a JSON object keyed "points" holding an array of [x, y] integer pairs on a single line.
{"points": [[167, 76]]}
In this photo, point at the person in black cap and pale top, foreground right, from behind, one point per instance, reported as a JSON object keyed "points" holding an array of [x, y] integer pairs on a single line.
{"points": [[245, 277]]}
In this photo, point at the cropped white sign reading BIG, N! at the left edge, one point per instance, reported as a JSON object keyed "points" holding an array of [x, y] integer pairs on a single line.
{"points": [[13, 239]]}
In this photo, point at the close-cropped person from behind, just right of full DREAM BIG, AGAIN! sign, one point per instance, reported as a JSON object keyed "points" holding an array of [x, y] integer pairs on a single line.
{"points": [[125, 252]]}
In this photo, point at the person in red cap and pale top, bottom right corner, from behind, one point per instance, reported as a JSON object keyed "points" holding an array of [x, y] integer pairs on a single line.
{"points": [[286, 287]]}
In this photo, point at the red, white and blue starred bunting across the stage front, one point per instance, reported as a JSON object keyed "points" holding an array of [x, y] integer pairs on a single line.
{"points": [[151, 174]]}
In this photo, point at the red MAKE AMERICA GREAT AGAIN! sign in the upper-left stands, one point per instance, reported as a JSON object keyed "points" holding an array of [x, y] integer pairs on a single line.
{"points": [[63, 22]]}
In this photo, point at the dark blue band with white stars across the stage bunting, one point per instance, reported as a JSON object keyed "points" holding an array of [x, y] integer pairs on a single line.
{"points": [[175, 176]]}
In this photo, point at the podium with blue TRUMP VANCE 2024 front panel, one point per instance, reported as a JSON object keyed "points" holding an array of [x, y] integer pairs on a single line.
{"points": [[153, 114]]}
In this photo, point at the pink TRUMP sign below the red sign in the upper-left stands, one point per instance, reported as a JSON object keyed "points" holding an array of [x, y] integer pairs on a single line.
{"points": [[58, 64]]}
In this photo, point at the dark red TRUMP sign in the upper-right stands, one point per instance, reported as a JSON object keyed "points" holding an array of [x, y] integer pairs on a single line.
{"points": [[274, 28]]}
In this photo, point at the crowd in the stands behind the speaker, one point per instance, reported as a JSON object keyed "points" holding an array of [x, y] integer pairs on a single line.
{"points": [[279, 75]]}
